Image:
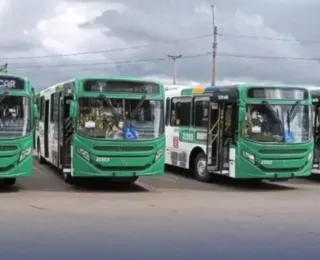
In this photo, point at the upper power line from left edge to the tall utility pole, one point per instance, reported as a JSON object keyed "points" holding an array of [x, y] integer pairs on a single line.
{"points": [[108, 50]]}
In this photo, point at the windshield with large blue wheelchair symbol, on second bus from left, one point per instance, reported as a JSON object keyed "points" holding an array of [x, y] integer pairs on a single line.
{"points": [[106, 118]]}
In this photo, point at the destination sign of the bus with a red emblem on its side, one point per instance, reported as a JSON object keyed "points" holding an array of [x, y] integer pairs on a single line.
{"points": [[278, 93]]}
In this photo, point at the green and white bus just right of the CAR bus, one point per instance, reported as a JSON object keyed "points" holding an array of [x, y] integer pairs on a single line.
{"points": [[103, 127]]}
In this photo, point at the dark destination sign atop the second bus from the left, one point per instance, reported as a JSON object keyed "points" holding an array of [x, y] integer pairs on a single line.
{"points": [[121, 86]]}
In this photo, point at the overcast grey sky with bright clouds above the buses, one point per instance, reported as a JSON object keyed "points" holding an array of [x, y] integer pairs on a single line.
{"points": [[107, 32]]}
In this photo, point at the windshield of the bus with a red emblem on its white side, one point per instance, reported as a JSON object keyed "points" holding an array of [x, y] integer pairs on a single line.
{"points": [[278, 123]]}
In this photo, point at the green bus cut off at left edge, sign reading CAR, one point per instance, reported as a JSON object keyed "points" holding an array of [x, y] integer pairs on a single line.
{"points": [[17, 126]]}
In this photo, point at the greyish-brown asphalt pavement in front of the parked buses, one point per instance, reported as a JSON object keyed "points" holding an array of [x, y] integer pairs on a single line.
{"points": [[166, 217]]}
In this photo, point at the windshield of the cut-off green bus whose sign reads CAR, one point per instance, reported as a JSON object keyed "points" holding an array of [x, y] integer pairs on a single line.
{"points": [[15, 118]]}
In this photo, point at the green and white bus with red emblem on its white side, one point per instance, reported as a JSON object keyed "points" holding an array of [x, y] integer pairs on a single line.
{"points": [[248, 131]]}
